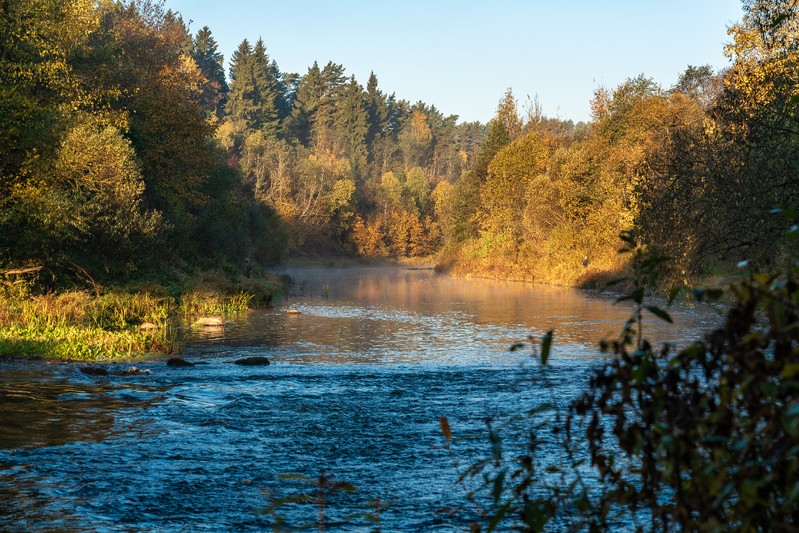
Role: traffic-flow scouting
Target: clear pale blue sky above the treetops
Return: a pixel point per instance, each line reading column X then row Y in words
column 461, row 55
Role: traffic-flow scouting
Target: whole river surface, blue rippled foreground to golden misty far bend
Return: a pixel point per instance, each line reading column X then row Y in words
column 356, row 388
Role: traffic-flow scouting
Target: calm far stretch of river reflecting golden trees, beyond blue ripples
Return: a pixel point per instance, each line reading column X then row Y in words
column 395, row 315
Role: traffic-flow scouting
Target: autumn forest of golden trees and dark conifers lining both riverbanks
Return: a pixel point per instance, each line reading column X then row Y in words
column 126, row 145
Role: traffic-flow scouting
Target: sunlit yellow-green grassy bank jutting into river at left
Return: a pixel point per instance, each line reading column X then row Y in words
column 109, row 323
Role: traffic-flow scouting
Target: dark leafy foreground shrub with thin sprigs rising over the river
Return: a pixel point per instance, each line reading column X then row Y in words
column 702, row 440
